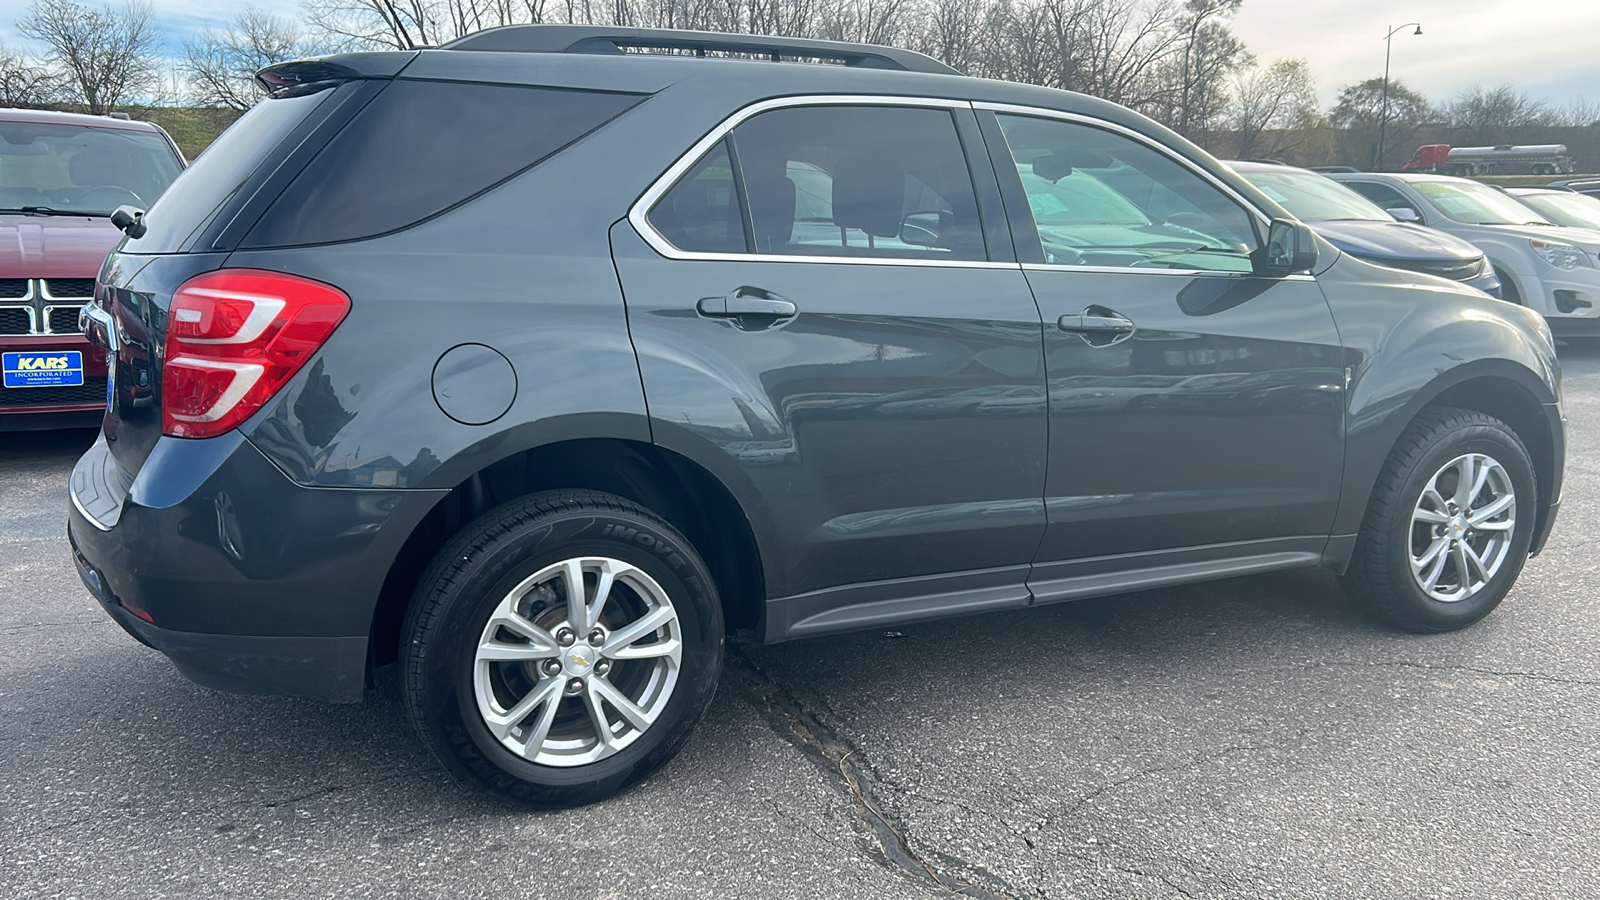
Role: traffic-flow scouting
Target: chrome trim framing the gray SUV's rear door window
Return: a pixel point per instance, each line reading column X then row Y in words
column 639, row 214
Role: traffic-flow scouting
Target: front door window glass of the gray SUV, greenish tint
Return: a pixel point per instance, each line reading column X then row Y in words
column 1102, row 199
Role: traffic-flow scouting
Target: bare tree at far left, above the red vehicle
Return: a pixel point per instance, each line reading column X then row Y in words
column 108, row 57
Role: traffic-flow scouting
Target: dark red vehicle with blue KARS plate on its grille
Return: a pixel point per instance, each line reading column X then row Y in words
column 62, row 177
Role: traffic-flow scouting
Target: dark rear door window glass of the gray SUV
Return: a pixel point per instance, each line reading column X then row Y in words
column 834, row 182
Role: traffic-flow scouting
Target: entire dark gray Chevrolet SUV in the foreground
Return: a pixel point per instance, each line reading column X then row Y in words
column 543, row 361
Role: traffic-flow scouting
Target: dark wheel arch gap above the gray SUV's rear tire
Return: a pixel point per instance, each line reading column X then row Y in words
column 684, row 491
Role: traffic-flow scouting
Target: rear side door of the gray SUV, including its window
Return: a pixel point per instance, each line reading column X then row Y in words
column 828, row 315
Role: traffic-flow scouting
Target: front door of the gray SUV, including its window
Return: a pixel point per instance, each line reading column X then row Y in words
column 1196, row 409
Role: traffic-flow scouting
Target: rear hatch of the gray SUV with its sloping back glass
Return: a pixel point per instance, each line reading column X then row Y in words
column 199, row 222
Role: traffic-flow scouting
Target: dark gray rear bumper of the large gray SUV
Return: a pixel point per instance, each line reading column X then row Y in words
column 246, row 581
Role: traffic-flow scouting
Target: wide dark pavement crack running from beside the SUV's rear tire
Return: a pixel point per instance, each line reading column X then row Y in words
column 860, row 781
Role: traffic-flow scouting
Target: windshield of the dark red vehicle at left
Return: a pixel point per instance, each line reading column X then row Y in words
column 86, row 171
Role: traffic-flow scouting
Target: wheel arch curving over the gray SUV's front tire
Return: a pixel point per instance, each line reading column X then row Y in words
column 1502, row 388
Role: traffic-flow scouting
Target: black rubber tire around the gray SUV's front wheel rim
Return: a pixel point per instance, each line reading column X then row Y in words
column 1380, row 577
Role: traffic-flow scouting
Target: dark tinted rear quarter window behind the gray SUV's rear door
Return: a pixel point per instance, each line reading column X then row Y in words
column 422, row 148
